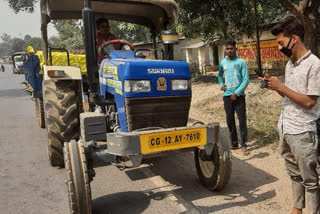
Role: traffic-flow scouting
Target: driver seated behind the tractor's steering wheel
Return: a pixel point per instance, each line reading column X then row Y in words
column 104, row 35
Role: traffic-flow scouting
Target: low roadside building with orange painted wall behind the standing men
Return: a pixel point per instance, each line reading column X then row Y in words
column 208, row 55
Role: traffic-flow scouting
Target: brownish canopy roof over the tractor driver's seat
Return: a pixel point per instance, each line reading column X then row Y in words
column 155, row 14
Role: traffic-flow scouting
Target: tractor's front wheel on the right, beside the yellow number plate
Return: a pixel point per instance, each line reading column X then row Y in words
column 214, row 171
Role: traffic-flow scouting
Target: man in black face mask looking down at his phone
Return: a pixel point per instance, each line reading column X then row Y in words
column 300, row 110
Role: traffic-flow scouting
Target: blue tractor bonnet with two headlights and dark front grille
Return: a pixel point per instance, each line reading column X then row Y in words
column 146, row 93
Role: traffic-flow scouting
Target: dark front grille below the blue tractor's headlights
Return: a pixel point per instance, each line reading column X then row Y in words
column 165, row 112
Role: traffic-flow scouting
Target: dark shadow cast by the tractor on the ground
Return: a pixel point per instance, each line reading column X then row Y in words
column 179, row 171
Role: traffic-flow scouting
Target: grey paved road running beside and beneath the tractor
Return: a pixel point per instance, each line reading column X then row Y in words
column 28, row 184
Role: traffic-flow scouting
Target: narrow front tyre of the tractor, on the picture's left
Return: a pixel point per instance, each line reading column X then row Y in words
column 78, row 183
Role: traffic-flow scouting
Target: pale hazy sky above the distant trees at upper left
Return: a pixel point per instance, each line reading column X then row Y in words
column 21, row 24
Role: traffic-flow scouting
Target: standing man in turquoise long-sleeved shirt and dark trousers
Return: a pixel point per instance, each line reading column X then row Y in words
column 233, row 71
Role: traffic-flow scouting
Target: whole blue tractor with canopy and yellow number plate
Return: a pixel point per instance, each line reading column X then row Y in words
column 138, row 107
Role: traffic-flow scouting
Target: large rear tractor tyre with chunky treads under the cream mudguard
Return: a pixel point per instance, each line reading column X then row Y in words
column 62, row 116
